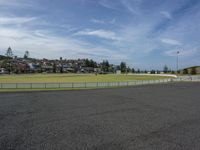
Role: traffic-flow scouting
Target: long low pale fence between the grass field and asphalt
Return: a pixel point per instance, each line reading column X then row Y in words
column 78, row 85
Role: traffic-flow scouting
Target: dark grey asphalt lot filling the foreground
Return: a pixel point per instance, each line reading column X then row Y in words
column 153, row 117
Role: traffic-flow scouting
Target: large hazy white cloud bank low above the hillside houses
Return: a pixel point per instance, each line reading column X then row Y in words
column 42, row 44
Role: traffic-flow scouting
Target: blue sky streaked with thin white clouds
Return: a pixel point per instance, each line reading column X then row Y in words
column 146, row 34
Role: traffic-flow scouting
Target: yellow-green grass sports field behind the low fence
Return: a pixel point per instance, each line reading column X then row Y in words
column 59, row 78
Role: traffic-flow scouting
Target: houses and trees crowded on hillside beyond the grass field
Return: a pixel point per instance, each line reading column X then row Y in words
column 31, row 65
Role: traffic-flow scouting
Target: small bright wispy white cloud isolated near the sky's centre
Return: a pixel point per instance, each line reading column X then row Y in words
column 99, row 33
